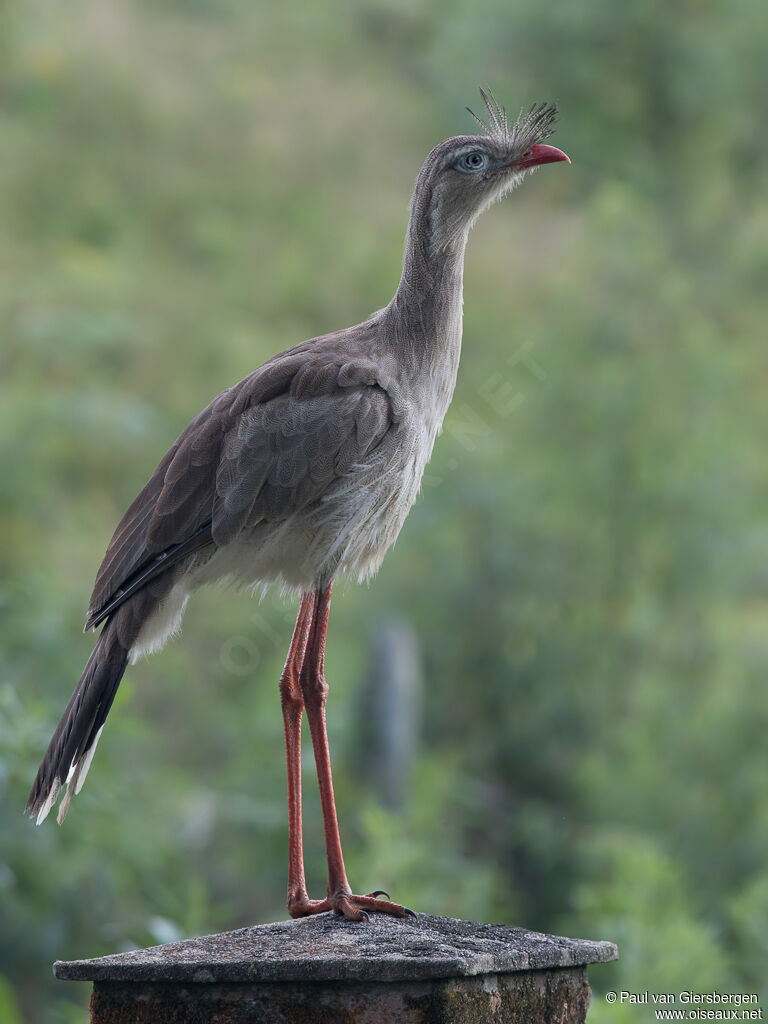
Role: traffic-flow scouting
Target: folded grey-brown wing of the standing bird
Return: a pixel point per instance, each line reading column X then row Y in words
column 263, row 450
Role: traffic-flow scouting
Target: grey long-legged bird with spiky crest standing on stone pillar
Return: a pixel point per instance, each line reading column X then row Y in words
column 301, row 474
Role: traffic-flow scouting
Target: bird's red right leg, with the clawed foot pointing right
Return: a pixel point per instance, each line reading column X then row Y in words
column 315, row 693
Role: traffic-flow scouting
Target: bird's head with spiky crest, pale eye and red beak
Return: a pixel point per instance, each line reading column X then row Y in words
column 462, row 177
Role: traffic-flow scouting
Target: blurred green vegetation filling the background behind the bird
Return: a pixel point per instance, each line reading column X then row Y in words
column 188, row 189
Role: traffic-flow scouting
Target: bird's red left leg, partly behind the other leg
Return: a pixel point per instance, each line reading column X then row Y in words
column 293, row 707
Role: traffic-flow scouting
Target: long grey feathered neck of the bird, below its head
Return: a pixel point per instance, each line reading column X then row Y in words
column 426, row 311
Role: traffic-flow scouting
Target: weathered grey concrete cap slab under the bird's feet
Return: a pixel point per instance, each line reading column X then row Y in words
column 327, row 948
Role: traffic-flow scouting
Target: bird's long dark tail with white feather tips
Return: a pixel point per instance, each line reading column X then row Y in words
column 72, row 748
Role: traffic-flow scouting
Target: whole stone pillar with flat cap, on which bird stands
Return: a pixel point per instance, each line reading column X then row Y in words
column 327, row 970
